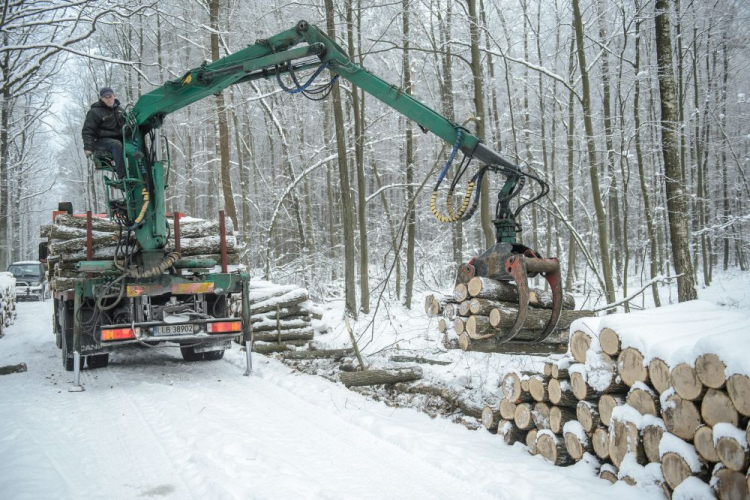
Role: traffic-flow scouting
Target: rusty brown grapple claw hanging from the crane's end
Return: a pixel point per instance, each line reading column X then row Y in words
column 514, row 262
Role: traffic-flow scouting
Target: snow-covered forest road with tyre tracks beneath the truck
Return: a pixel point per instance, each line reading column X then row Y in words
column 151, row 425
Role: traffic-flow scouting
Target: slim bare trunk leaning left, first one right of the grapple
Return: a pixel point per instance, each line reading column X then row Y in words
column 601, row 217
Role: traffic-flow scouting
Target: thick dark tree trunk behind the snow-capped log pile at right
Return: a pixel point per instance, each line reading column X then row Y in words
column 676, row 196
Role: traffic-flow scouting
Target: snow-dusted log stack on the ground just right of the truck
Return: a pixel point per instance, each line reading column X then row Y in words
column 281, row 316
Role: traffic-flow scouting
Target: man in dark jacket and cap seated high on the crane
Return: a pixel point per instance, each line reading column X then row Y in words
column 102, row 129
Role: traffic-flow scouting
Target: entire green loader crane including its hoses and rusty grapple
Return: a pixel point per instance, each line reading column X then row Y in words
column 271, row 58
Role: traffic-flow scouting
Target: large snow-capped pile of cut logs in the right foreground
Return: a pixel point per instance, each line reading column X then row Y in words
column 660, row 397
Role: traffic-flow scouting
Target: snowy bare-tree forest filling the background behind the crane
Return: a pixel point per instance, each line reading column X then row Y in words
column 509, row 70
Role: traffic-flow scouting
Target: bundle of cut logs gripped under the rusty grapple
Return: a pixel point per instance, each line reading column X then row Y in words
column 480, row 312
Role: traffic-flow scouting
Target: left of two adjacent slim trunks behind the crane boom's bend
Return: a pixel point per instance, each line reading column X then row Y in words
column 347, row 208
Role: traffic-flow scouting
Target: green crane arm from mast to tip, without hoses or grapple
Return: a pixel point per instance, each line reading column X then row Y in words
column 265, row 59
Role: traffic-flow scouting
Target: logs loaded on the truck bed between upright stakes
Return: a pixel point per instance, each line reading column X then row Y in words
column 66, row 237
